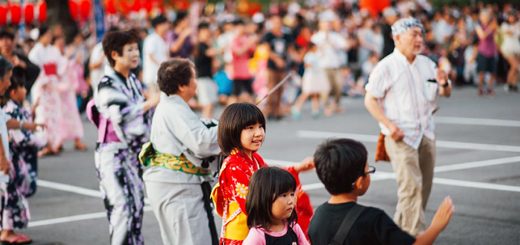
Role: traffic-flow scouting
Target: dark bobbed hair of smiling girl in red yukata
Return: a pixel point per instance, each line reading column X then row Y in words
column 233, row 120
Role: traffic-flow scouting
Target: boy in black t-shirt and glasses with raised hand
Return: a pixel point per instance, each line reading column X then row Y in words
column 341, row 165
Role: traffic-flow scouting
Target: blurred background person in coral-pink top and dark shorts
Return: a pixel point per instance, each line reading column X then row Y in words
column 242, row 48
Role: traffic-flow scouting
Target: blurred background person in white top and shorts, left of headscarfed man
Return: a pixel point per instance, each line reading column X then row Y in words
column 332, row 45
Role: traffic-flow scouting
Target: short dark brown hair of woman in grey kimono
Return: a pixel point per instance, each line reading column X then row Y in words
column 174, row 73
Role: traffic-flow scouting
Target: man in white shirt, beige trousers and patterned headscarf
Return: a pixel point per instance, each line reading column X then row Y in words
column 402, row 94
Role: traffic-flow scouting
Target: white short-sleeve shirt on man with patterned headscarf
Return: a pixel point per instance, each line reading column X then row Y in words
column 407, row 93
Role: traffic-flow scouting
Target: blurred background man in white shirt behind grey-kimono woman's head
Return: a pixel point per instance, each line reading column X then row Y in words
column 155, row 51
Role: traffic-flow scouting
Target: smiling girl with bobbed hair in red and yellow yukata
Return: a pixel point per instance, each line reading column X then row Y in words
column 241, row 132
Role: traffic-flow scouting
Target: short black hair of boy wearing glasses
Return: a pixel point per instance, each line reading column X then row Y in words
column 339, row 163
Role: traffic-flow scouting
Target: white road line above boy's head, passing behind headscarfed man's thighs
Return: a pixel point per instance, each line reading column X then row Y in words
column 440, row 143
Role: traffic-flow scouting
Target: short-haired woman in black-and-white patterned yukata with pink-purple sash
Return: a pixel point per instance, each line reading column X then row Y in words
column 123, row 122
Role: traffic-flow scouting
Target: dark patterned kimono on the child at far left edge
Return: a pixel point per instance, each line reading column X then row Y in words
column 23, row 145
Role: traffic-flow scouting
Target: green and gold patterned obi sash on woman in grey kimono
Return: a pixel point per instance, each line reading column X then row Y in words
column 149, row 157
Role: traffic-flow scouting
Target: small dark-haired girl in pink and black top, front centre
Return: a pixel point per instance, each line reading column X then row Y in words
column 271, row 209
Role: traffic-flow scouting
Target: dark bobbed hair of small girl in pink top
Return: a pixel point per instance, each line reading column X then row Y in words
column 265, row 186
